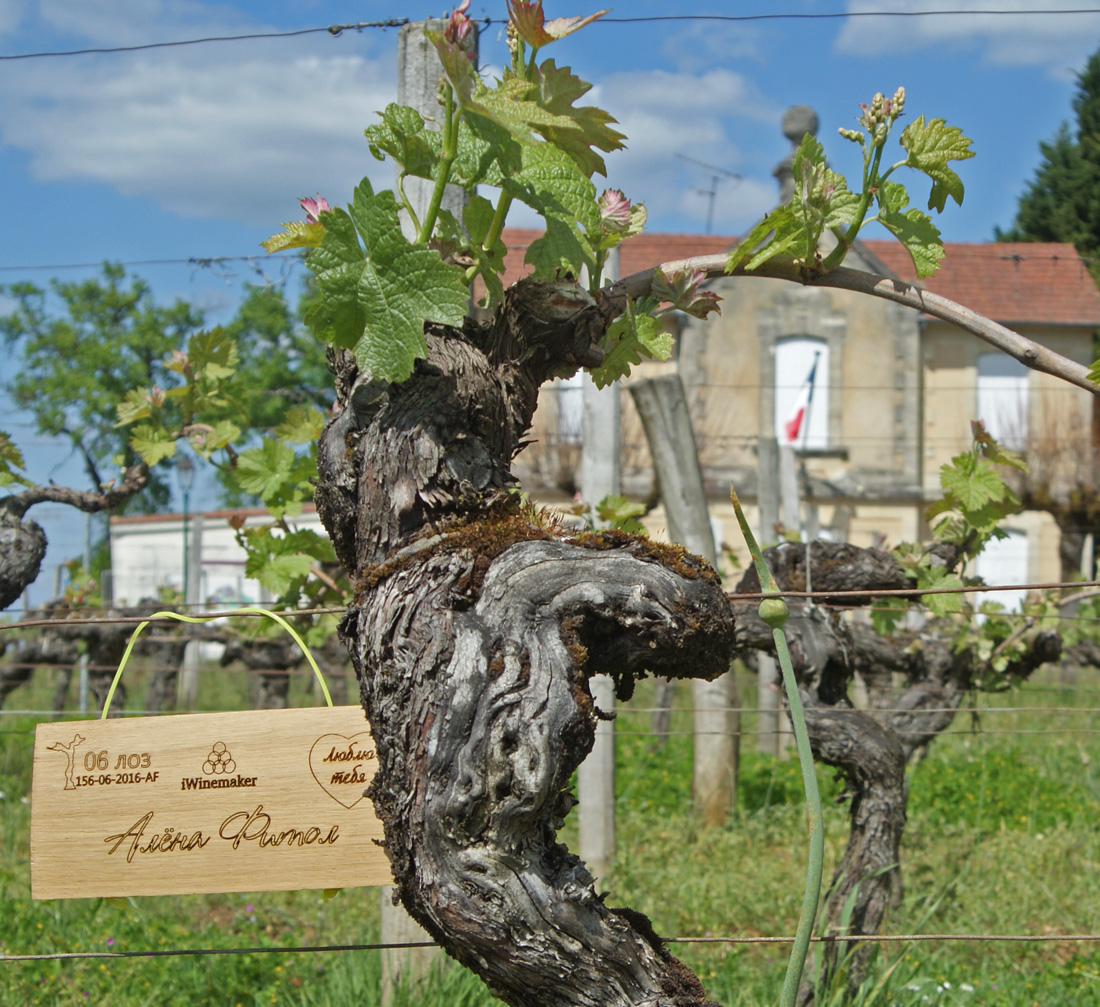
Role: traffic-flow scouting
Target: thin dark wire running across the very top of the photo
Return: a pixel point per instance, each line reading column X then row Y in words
column 337, row 30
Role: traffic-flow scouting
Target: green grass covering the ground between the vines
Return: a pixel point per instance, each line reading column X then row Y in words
column 1003, row 838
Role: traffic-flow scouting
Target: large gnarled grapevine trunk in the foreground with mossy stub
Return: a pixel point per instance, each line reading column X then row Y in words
column 476, row 626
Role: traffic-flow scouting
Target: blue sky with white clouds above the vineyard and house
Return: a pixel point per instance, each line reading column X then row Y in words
column 202, row 151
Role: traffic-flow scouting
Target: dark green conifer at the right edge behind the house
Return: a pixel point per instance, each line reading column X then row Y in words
column 1063, row 202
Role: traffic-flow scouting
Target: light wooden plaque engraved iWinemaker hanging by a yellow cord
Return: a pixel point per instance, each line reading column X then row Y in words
column 250, row 802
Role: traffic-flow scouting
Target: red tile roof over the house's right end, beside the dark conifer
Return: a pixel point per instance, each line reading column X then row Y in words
column 1015, row 283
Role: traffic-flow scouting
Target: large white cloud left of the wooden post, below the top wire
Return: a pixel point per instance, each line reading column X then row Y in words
column 203, row 135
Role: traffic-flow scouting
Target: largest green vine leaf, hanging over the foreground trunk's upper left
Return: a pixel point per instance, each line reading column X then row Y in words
column 377, row 297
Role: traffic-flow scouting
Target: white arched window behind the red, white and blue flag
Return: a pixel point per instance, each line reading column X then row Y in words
column 802, row 392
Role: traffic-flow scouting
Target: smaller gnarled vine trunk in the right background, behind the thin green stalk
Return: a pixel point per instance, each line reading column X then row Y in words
column 871, row 749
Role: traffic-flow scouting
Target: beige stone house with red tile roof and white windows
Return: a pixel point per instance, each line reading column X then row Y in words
column 894, row 397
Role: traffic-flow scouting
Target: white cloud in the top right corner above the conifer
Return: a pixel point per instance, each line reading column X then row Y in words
column 1058, row 42
